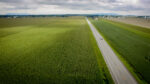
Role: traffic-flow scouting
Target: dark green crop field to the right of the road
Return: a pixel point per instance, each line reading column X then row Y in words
column 131, row 42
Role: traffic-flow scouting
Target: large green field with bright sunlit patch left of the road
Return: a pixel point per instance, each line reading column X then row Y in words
column 50, row 51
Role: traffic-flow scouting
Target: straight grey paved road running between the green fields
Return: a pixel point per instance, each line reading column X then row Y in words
column 118, row 71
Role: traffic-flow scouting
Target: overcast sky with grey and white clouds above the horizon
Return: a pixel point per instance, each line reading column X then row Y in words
column 125, row 7
